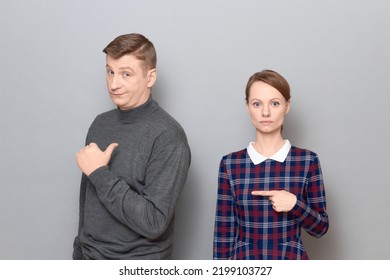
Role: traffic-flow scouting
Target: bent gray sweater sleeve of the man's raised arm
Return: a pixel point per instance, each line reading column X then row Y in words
column 150, row 212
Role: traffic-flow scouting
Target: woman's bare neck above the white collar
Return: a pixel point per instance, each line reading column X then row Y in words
column 268, row 144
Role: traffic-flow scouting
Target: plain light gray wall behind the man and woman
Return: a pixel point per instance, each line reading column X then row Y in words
column 334, row 53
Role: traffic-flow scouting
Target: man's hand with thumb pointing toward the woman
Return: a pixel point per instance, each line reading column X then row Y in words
column 91, row 157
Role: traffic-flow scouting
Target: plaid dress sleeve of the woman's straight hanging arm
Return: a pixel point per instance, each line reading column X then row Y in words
column 225, row 218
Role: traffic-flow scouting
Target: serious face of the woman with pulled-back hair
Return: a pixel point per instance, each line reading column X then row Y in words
column 267, row 108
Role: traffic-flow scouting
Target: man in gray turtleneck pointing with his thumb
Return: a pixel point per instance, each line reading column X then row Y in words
column 134, row 165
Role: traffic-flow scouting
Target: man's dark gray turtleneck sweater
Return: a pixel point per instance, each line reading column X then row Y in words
column 127, row 208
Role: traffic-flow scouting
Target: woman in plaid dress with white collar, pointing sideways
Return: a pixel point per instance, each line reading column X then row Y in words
column 270, row 190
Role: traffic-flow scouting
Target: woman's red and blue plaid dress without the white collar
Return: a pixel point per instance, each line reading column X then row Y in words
column 246, row 226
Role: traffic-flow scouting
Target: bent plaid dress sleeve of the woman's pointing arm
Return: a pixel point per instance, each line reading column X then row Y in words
column 311, row 207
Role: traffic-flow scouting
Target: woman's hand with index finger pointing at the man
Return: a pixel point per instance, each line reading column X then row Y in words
column 282, row 201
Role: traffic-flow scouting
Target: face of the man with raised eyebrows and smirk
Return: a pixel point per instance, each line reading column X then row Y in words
column 128, row 82
